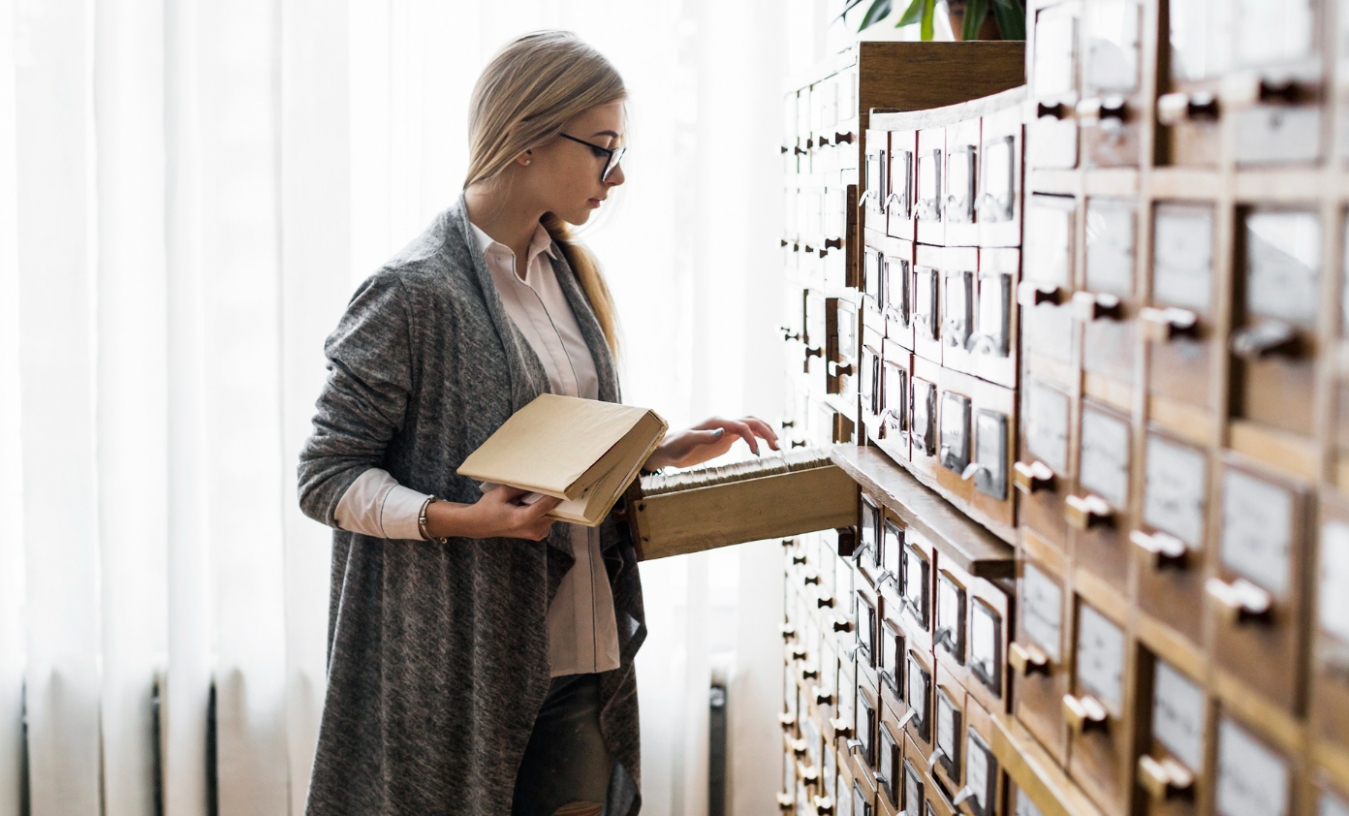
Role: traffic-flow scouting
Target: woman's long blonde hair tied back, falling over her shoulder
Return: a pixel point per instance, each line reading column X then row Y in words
column 525, row 96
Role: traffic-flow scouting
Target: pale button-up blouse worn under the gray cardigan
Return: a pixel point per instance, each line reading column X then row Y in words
column 582, row 629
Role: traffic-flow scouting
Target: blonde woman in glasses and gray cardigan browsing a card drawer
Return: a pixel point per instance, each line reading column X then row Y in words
column 481, row 659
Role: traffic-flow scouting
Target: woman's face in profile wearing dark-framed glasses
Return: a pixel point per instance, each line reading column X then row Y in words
column 565, row 175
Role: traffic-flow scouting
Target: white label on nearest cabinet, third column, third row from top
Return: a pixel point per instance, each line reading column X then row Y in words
column 1176, row 489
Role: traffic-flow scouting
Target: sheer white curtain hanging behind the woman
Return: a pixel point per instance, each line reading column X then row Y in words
column 190, row 192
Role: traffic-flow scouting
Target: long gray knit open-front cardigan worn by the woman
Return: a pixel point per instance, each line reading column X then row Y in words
column 438, row 656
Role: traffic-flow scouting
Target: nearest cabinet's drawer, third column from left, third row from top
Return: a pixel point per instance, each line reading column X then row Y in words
column 1172, row 544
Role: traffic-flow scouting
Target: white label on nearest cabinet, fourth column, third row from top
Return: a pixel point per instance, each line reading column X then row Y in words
column 1258, row 531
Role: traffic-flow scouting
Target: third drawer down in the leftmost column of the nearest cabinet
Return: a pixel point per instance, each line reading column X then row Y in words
column 1043, row 475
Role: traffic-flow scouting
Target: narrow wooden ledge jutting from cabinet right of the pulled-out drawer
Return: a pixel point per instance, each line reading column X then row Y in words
column 956, row 536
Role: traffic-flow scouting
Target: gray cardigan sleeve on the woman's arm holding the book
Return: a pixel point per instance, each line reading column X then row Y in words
column 365, row 400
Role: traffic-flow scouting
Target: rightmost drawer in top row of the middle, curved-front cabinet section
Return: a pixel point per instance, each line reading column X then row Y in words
column 1000, row 180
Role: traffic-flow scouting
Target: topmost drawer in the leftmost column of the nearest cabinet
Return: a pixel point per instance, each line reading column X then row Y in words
column 1052, row 137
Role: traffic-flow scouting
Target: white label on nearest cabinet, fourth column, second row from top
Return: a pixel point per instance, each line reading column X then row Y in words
column 1284, row 265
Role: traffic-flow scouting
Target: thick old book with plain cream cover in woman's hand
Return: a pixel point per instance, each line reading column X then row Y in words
column 582, row 451
